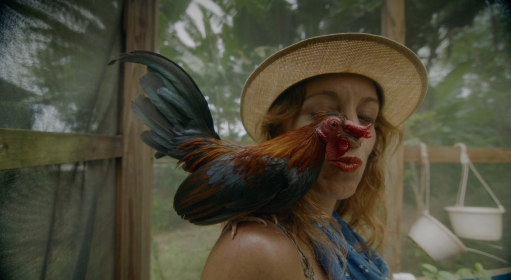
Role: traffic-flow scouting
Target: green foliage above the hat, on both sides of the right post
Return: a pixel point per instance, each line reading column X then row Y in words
column 462, row 42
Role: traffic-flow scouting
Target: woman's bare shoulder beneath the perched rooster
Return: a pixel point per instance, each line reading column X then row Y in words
column 257, row 251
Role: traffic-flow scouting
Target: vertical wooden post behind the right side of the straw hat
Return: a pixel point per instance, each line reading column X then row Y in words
column 393, row 27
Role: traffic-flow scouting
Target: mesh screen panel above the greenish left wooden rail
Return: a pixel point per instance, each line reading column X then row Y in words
column 54, row 75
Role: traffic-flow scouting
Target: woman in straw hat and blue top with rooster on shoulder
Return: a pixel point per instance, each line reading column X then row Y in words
column 370, row 80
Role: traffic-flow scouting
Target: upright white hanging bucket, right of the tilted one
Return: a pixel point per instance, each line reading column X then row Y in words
column 478, row 223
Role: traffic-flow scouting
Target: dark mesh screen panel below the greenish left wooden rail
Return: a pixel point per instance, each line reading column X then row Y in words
column 58, row 222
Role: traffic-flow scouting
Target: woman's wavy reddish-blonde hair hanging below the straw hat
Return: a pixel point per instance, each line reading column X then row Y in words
column 365, row 210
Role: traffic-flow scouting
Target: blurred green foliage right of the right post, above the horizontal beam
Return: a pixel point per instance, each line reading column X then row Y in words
column 467, row 100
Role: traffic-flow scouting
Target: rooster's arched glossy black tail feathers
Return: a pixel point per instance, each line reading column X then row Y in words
column 176, row 111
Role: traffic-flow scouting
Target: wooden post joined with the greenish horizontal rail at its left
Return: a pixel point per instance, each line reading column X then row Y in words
column 26, row 148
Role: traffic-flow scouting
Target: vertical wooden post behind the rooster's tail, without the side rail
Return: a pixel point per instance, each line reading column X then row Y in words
column 135, row 168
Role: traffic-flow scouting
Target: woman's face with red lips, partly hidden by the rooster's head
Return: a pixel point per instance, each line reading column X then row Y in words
column 355, row 97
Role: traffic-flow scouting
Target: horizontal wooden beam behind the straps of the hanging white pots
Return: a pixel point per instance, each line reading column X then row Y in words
column 452, row 154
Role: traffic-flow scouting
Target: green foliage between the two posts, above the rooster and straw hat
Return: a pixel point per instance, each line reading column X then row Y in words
column 228, row 39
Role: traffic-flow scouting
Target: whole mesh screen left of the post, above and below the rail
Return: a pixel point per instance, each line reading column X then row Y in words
column 58, row 222
